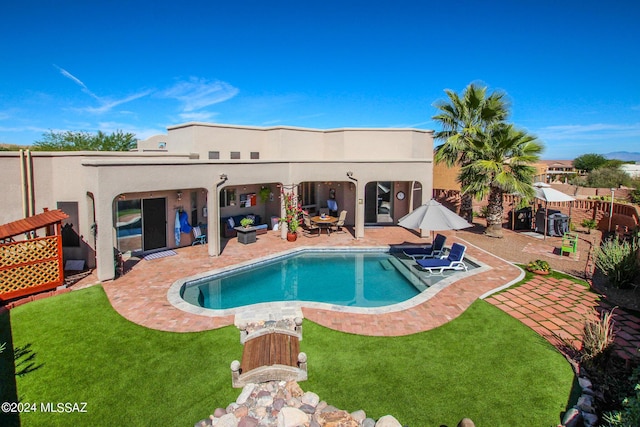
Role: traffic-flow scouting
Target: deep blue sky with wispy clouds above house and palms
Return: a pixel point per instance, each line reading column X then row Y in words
column 570, row 68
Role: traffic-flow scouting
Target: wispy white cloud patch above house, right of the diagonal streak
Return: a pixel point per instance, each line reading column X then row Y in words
column 200, row 93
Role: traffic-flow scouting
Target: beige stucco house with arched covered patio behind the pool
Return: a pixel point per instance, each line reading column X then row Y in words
column 209, row 172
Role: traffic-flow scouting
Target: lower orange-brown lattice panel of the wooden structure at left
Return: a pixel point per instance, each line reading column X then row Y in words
column 28, row 276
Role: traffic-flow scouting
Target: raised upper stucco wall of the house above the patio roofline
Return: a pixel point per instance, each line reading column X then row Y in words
column 285, row 143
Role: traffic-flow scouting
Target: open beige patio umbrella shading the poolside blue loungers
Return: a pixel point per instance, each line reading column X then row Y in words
column 433, row 216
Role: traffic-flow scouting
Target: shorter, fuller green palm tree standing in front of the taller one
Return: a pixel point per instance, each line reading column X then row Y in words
column 501, row 163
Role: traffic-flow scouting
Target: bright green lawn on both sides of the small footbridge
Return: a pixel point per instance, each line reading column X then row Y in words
column 483, row 365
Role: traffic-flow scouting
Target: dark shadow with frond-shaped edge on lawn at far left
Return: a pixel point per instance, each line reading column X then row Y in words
column 13, row 362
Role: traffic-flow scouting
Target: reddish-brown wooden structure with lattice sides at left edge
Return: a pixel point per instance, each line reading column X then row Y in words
column 34, row 264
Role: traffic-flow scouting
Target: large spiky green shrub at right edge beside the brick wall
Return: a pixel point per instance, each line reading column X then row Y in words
column 618, row 261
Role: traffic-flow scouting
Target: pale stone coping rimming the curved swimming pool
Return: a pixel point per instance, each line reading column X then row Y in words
column 292, row 309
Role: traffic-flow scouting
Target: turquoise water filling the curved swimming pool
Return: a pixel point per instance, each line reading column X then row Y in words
column 345, row 278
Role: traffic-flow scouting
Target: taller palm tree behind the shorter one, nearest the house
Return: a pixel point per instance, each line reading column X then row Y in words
column 462, row 119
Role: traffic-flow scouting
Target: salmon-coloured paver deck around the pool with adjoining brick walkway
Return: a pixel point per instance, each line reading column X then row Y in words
column 556, row 309
